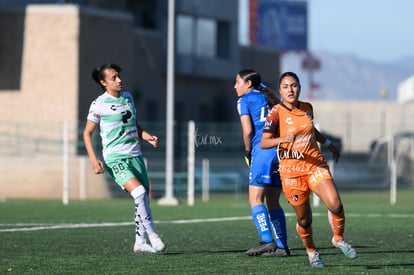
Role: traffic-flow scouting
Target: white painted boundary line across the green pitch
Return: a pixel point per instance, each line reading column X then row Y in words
column 48, row 226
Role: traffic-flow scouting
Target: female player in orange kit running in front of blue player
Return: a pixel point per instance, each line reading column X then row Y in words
column 289, row 127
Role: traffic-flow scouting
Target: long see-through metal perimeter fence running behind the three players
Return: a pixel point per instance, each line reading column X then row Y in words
column 218, row 148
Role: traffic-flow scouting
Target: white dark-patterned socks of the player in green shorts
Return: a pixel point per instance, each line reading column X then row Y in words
column 143, row 218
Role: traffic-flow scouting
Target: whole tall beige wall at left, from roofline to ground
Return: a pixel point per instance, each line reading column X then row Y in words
column 45, row 97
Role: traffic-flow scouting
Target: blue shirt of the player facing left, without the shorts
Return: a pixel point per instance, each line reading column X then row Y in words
column 254, row 104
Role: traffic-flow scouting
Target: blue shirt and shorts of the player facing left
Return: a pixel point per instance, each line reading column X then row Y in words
column 264, row 162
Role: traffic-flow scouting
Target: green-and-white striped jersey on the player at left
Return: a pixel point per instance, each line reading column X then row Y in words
column 117, row 125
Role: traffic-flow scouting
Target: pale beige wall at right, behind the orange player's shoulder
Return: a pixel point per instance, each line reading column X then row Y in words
column 358, row 123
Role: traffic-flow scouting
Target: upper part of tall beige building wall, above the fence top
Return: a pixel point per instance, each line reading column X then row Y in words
column 48, row 83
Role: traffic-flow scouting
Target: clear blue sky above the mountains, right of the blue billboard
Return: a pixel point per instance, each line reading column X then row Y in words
column 377, row 30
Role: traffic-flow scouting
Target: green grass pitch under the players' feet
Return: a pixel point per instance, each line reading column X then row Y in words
column 382, row 234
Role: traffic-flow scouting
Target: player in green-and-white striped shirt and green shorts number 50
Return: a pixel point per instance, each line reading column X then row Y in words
column 115, row 114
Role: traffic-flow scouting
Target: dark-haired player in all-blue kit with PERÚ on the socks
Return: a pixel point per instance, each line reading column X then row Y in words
column 253, row 104
